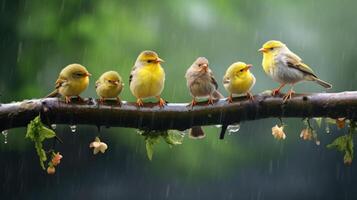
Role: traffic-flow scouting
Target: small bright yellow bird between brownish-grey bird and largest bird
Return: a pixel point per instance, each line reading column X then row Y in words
column 239, row 80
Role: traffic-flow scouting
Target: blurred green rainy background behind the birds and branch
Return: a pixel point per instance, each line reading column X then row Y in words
column 39, row 37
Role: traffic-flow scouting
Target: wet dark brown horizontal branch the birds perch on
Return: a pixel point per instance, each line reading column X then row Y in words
column 177, row 116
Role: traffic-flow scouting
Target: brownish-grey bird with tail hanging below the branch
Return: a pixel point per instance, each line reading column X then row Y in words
column 201, row 84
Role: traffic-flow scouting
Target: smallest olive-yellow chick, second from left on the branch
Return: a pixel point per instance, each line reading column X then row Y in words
column 109, row 85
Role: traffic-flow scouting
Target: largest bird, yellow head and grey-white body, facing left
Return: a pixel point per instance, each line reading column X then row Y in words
column 285, row 67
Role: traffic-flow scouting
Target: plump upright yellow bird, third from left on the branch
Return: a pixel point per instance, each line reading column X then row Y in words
column 147, row 77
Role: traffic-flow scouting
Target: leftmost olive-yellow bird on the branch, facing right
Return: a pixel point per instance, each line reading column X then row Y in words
column 72, row 81
